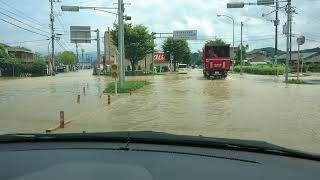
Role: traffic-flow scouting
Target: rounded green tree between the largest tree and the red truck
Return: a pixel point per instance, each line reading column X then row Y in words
column 179, row 49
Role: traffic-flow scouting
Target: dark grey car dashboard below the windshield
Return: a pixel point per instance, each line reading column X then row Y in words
column 138, row 161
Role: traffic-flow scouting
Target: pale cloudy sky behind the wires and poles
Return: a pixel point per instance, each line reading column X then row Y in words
column 159, row 16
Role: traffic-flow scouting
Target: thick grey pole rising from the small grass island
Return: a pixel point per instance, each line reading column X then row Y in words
column 121, row 42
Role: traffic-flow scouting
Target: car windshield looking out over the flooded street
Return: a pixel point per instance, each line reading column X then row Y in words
column 75, row 66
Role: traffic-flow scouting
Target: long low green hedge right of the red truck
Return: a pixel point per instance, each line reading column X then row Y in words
column 261, row 69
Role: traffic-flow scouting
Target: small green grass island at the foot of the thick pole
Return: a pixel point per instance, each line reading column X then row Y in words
column 127, row 86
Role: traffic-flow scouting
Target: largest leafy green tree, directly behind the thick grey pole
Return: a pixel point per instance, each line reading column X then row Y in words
column 138, row 42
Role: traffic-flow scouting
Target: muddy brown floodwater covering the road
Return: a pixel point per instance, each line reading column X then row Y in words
column 244, row 107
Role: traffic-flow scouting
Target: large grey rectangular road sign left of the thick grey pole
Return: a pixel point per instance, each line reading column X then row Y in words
column 80, row 34
